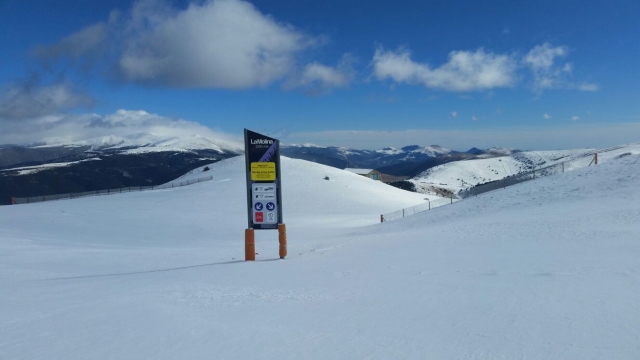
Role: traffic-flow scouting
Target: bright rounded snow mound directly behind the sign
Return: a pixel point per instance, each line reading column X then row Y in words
column 346, row 199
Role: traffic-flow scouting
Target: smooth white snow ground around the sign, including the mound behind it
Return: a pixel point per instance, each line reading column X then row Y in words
column 547, row 269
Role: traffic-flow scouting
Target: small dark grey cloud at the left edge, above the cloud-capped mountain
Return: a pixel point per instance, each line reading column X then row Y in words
column 32, row 99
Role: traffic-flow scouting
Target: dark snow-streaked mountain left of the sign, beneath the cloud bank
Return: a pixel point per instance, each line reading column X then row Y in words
column 27, row 171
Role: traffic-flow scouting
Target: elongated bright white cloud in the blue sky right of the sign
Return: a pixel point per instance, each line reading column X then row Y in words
column 465, row 70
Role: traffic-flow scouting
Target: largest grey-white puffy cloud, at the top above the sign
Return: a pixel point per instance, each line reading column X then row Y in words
column 219, row 44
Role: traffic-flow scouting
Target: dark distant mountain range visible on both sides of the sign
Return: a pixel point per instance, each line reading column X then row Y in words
column 146, row 160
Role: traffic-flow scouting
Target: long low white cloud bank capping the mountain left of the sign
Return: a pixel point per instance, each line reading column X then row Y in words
column 123, row 126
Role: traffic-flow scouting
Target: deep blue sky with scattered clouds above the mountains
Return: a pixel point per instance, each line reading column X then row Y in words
column 529, row 75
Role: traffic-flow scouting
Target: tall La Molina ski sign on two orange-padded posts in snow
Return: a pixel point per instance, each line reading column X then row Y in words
column 264, row 190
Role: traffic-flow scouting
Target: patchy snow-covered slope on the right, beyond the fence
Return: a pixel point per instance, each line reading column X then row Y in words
column 459, row 175
